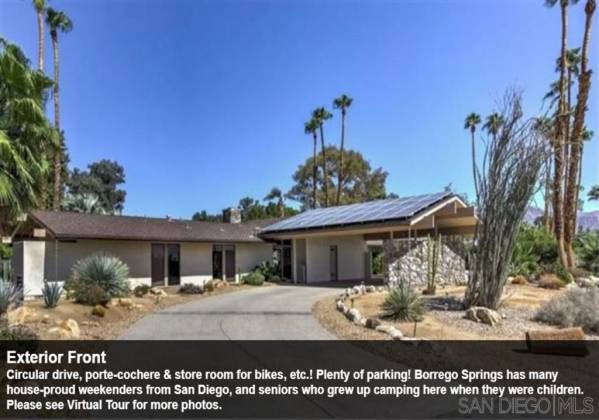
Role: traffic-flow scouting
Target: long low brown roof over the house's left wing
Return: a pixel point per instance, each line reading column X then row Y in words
column 66, row 225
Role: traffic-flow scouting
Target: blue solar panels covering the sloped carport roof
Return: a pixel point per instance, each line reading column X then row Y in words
column 373, row 211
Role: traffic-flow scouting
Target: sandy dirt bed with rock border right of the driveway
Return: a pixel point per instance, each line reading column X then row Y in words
column 519, row 306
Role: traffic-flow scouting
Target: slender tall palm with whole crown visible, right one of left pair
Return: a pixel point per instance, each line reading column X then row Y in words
column 57, row 21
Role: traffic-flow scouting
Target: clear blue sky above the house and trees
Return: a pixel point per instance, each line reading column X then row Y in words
column 203, row 102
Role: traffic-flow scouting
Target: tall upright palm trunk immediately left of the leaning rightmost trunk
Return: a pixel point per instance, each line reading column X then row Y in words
column 558, row 218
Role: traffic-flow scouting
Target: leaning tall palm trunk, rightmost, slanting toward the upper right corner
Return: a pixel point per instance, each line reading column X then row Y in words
column 584, row 85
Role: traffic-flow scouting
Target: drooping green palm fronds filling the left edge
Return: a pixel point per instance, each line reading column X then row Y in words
column 24, row 131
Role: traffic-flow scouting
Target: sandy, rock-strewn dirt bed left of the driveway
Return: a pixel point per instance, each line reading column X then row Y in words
column 117, row 318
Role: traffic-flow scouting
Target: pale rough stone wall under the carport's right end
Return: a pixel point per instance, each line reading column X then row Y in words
column 407, row 260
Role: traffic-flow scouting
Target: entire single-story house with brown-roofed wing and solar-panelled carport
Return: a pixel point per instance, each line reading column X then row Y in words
column 327, row 244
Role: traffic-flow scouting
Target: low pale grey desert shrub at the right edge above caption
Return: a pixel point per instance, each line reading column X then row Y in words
column 575, row 308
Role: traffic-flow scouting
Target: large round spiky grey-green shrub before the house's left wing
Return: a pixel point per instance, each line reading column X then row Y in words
column 98, row 272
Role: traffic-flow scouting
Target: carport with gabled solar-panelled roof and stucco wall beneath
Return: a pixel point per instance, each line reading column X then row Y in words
column 332, row 244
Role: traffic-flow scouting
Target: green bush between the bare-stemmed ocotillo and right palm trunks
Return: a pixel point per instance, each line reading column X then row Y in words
column 535, row 248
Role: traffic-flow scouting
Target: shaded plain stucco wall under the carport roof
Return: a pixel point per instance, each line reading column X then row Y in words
column 350, row 256
